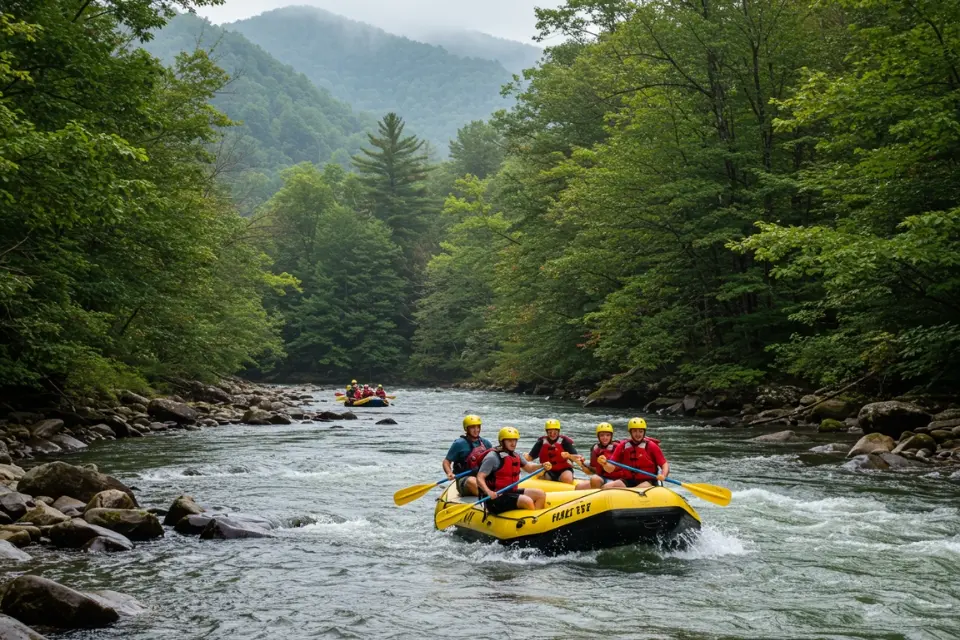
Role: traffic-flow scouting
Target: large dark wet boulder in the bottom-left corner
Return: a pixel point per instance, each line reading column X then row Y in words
column 36, row 600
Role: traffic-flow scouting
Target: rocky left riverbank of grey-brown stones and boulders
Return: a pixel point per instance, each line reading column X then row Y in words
column 78, row 509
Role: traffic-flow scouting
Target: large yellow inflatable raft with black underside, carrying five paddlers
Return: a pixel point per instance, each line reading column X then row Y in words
column 581, row 520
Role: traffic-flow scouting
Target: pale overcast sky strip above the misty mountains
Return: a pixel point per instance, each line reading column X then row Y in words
column 512, row 19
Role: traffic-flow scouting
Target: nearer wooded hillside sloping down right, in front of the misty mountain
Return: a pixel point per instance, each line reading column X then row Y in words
column 286, row 119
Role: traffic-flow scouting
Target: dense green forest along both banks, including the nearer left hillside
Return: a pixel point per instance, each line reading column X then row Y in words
column 680, row 196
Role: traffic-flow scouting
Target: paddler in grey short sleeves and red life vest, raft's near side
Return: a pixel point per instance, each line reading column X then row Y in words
column 500, row 468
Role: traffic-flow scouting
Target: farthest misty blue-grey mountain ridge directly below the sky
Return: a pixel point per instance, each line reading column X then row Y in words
column 435, row 91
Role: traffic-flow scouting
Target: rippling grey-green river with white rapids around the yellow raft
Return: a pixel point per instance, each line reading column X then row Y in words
column 805, row 550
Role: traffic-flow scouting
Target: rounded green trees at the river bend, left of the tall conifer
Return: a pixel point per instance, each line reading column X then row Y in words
column 344, row 320
